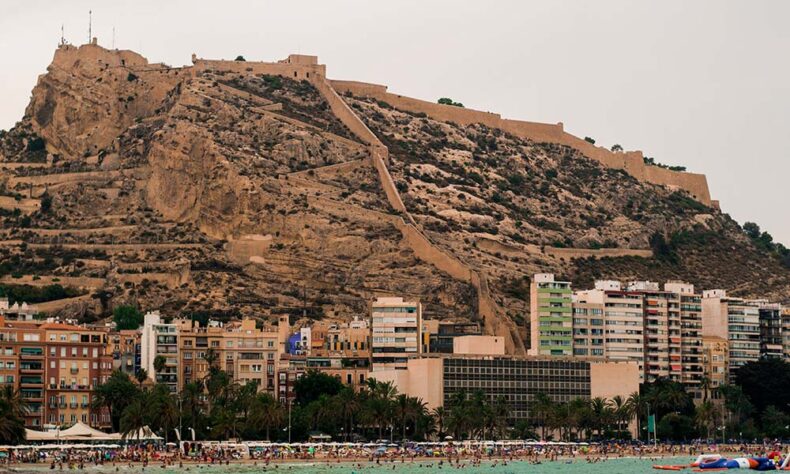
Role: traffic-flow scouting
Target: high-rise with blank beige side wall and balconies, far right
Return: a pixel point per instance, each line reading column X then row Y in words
column 735, row 320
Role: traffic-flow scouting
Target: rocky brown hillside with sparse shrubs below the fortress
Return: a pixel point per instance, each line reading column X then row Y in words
column 241, row 193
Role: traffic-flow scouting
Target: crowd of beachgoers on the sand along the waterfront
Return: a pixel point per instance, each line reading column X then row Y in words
column 464, row 454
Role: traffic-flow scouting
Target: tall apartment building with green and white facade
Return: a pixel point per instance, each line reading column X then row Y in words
column 551, row 317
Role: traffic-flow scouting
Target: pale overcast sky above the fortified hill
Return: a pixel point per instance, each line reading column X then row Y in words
column 704, row 84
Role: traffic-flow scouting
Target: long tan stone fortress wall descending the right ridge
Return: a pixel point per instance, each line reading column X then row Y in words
column 632, row 161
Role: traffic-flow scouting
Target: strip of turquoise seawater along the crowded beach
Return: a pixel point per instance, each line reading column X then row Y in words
column 577, row 466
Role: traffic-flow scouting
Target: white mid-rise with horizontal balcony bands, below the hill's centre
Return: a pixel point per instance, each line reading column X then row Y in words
column 396, row 332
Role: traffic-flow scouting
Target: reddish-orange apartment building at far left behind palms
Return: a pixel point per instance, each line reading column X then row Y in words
column 55, row 366
